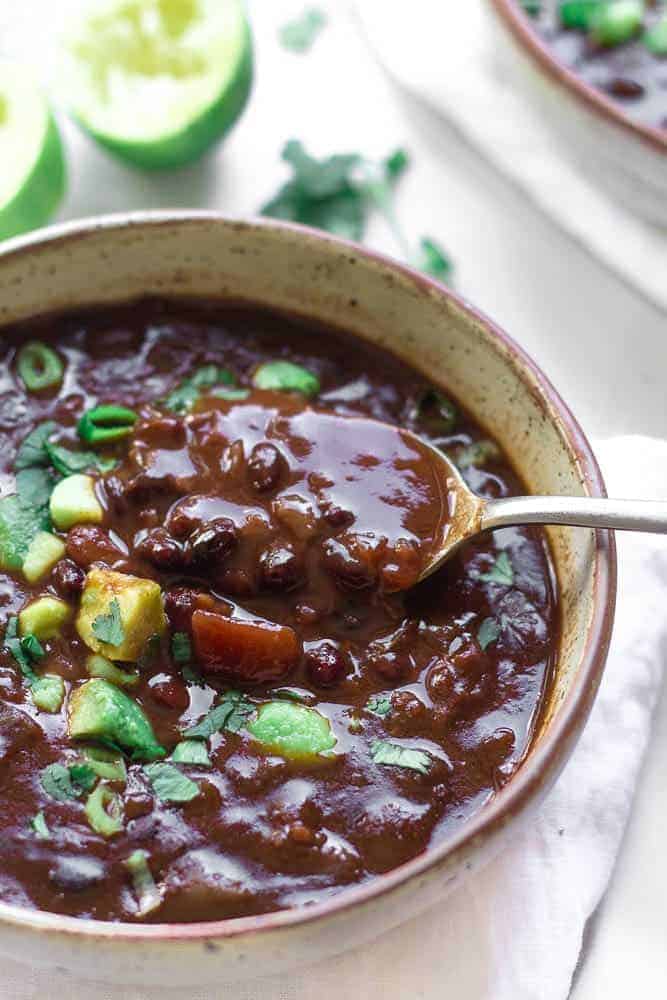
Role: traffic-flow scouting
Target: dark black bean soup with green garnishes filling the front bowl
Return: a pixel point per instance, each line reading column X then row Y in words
column 221, row 692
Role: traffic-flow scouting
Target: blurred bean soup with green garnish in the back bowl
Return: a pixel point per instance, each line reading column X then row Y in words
column 617, row 46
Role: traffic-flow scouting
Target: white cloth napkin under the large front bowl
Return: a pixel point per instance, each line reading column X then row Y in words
column 514, row 932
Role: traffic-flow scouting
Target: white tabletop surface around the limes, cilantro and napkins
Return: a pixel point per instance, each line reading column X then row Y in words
column 603, row 347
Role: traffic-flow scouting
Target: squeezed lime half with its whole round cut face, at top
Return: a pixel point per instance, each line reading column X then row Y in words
column 158, row 82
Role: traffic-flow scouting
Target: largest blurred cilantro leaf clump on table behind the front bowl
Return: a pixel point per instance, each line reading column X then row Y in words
column 336, row 193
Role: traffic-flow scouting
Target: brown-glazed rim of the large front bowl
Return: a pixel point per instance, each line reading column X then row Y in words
column 541, row 765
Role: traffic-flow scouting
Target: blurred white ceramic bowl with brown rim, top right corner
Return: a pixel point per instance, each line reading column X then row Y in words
column 620, row 155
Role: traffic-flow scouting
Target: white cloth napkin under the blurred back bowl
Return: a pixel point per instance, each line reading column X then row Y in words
column 439, row 50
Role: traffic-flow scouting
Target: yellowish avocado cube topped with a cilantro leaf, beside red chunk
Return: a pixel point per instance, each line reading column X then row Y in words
column 133, row 603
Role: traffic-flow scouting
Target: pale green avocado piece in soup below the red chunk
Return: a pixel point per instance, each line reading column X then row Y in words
column 292, row 730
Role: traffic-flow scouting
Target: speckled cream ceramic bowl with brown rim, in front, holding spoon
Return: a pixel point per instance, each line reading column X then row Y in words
column 187, row 254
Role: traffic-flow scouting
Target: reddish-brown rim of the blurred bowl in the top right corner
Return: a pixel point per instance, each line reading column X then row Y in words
column 519, row 24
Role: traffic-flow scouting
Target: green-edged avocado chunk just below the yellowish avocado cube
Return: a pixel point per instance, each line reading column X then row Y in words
column 100, row 711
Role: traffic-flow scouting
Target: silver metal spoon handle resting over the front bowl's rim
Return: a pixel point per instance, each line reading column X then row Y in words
column 587, row 512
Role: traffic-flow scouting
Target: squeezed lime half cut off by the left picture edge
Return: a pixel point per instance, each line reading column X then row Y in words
column 32, row 169
